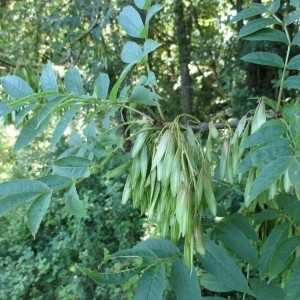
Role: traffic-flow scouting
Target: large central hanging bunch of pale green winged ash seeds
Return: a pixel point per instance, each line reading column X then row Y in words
column 170, row 180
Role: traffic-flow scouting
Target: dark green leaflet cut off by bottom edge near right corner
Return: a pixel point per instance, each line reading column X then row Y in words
column 263, row 290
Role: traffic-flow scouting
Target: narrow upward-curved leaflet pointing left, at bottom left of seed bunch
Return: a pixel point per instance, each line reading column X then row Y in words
column 112, row 278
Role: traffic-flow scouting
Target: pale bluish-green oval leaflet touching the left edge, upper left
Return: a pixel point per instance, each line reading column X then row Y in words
column 15, row 86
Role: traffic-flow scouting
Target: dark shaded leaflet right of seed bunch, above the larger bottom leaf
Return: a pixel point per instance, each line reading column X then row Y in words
column 237, row 241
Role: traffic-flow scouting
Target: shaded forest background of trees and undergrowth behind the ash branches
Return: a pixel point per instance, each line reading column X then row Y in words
column 198, row 70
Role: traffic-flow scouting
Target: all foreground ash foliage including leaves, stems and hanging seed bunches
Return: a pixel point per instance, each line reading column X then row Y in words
column 251, row 251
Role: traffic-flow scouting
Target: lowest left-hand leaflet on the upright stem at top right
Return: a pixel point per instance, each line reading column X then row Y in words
column 264, row 58
